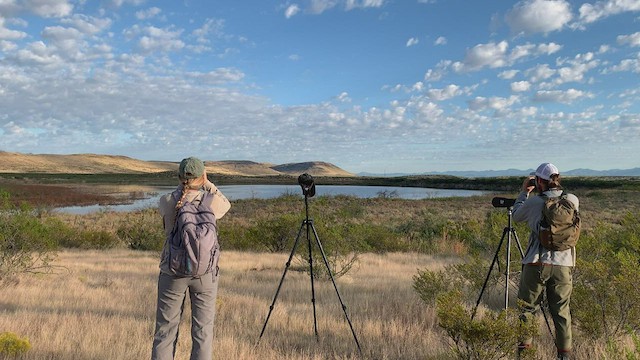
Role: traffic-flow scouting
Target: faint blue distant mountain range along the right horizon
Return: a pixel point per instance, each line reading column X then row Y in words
column 516, row 172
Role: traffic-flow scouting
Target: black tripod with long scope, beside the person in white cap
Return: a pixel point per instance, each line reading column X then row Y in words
column 509, row 232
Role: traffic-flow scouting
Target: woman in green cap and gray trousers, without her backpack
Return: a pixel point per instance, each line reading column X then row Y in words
column 172, row 289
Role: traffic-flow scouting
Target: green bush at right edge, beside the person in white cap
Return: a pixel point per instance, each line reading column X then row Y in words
column 605, row 298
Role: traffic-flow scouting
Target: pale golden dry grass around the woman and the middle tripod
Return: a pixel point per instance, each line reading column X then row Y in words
column 103, row 306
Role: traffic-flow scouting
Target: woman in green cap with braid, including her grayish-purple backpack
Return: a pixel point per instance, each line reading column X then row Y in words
column 188, row 212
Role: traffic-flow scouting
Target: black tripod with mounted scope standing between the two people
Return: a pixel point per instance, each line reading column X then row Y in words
column 308, row 189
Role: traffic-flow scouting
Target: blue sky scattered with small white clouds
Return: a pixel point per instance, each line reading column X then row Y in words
column 378, row 86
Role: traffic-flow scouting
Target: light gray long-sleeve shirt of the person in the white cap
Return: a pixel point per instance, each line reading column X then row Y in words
column 529, row 209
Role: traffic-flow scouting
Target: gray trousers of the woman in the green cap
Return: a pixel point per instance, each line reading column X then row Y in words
column 171, row 297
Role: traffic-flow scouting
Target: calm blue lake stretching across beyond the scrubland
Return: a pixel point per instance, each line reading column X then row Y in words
column 238, row 192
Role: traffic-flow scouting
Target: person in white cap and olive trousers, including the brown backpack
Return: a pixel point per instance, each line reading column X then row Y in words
column 548, row 263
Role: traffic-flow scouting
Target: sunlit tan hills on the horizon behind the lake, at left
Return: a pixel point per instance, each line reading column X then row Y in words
column 11, row 162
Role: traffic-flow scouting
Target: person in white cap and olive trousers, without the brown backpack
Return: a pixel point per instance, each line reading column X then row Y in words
column 543, row 269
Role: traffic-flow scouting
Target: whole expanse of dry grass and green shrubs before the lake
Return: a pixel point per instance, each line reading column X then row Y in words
column 411, row 271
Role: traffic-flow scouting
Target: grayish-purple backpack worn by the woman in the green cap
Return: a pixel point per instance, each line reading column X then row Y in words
column 193, row 243
